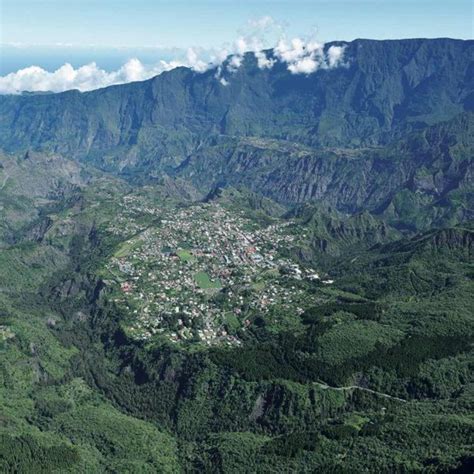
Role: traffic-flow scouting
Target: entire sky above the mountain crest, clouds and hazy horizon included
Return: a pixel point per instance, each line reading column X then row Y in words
column 158, row 34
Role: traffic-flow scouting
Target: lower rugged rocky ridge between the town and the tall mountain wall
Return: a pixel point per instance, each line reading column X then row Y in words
column 425, row 176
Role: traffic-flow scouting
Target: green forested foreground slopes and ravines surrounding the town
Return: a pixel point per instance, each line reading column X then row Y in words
column 374, row 371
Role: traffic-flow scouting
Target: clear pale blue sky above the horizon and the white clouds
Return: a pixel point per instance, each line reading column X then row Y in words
column 205, row 23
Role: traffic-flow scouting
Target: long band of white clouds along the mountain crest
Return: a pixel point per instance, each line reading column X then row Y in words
column 300, row 56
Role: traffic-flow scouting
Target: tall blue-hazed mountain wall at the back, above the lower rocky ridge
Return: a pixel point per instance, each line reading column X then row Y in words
column 384, row 89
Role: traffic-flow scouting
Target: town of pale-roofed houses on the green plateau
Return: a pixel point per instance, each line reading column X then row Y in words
column 203, row 273
